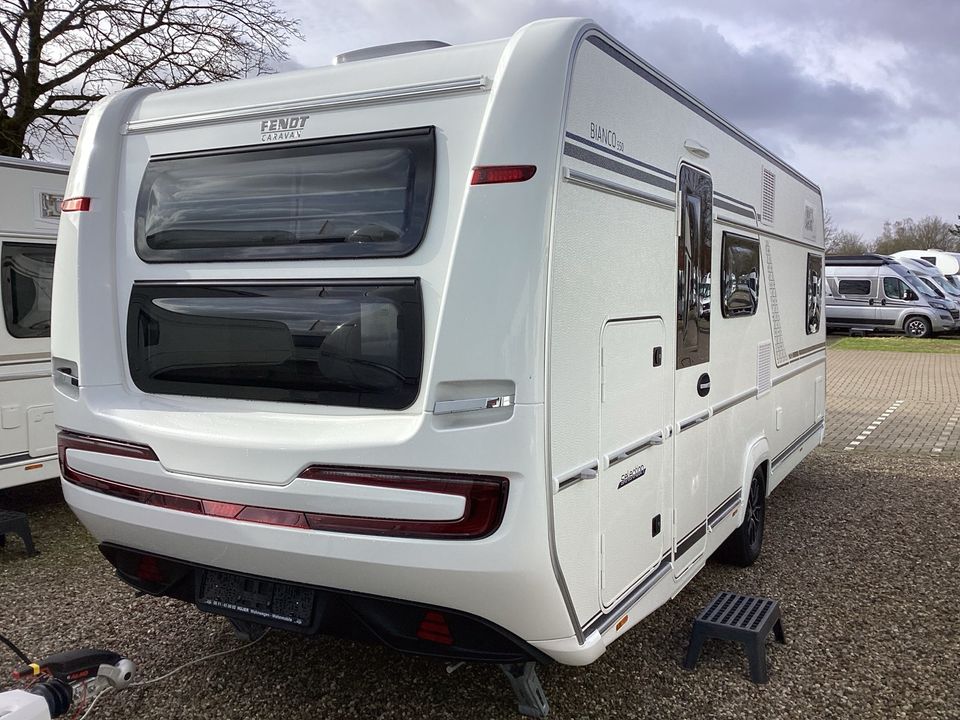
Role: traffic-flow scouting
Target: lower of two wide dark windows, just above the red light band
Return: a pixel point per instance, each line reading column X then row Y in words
column 353, row 345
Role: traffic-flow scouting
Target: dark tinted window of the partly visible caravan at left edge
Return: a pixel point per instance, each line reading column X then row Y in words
column 27, row 276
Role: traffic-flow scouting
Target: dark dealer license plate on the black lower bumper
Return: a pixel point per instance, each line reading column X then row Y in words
column 255, row 599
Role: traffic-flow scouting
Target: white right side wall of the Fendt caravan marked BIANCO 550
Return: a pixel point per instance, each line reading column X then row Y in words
column 614, row 311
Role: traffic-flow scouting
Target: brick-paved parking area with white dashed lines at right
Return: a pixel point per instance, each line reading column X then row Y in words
column 905, row 403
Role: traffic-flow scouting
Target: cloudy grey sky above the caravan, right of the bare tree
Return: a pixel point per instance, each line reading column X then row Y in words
column 862, row 96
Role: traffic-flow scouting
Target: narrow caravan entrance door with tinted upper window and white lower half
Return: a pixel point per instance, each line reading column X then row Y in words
column 692, row 401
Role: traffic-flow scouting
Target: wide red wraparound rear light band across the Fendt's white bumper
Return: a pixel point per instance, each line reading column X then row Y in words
column 484, row 497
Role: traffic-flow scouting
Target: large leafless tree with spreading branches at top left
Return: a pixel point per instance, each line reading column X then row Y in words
column 58, row 57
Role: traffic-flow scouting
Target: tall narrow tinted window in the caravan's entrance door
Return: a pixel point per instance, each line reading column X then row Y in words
column 693, row 267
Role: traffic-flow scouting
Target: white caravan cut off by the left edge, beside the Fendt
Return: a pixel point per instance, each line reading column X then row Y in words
column 30, row 195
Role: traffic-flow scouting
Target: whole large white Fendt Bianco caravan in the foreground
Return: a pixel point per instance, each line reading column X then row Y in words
column 478, row 352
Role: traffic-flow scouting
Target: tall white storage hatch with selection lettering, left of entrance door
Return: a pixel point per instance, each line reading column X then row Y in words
column 631, row 453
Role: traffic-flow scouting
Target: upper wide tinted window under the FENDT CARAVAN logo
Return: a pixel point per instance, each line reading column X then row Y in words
column 353, row 197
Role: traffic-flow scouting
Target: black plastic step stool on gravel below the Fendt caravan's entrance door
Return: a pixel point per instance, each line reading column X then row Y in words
column 743, row 618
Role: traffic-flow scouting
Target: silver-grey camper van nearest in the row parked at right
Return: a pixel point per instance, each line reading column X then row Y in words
column 878, row 293
